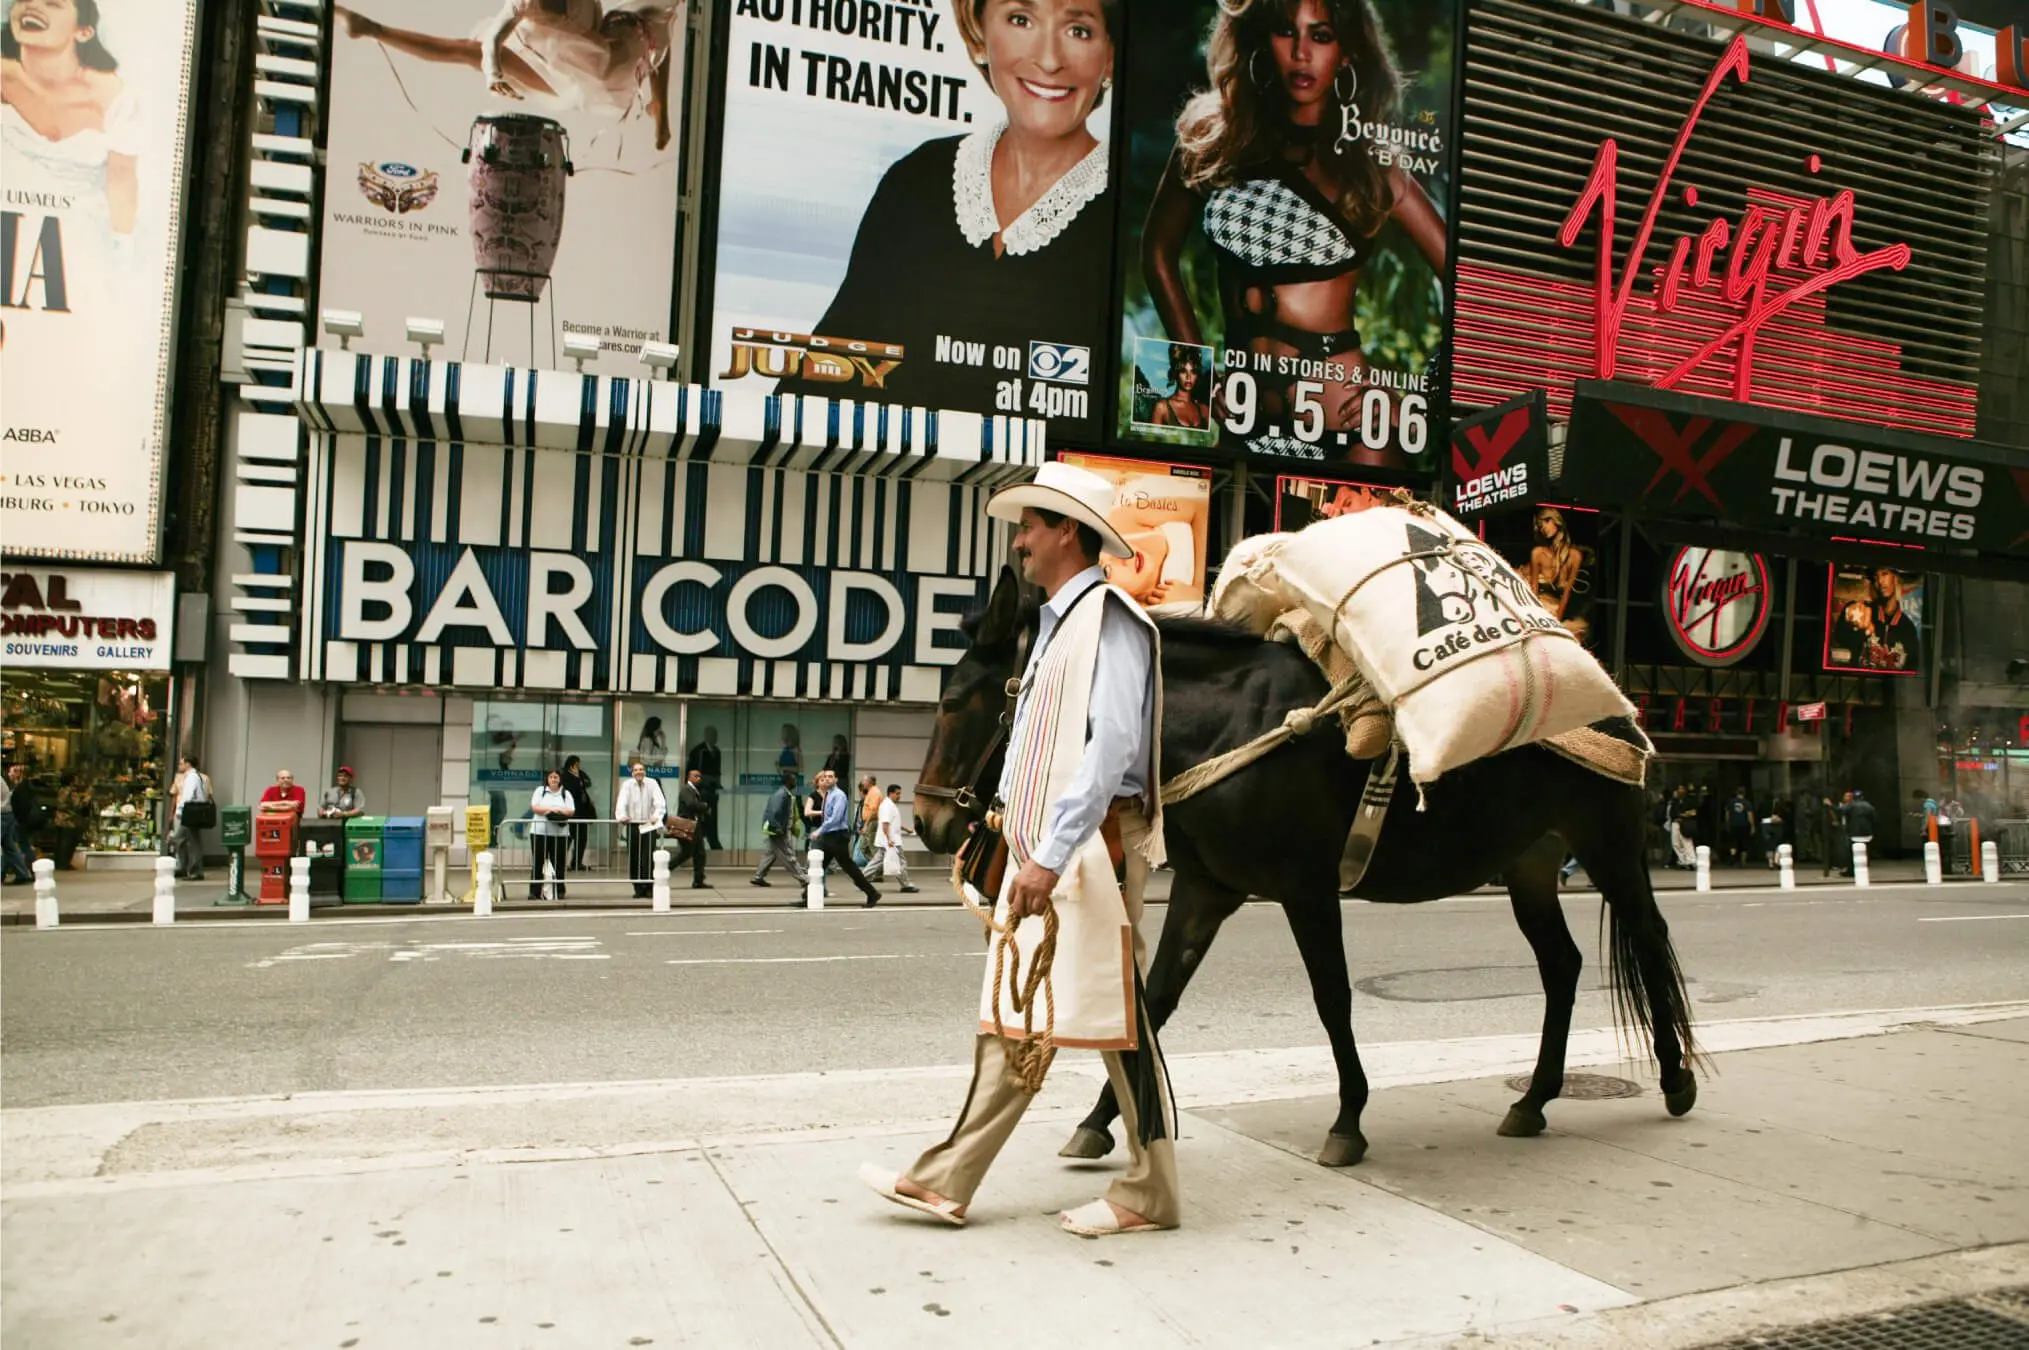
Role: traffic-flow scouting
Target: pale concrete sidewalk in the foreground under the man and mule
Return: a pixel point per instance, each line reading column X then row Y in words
column 1833, row 1164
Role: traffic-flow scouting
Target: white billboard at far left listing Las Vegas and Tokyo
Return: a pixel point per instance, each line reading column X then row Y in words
column 88, row 247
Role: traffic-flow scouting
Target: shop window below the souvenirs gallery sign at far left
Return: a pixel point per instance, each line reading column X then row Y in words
column 94, row 746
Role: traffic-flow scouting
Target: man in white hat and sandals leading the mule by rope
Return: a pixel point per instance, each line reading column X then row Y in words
column 1078, row 803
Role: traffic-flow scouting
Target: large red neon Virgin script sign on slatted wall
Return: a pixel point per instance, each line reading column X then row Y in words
column 1807, row 245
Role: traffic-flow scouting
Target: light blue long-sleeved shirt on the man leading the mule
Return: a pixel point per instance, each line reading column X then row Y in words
column 1117, row 722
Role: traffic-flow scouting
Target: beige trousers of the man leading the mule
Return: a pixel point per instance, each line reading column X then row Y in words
column 995, row 1105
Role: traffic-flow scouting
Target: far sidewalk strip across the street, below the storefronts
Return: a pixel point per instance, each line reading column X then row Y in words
column 125, row 896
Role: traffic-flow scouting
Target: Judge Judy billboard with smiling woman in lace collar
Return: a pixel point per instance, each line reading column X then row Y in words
column 914, row 208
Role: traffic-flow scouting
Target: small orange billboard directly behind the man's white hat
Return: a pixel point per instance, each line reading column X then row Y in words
column 1164, row 513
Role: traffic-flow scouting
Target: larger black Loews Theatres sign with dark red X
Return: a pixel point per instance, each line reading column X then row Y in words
column 1701, row 460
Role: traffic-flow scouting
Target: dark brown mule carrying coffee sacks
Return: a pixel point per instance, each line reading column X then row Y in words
column 1225, row 687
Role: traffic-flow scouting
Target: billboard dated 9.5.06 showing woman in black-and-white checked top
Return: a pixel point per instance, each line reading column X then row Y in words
column 1283, row 228
